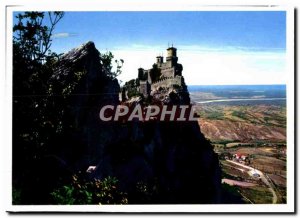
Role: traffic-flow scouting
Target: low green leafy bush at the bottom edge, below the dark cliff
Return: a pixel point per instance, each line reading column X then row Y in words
column 81, row 191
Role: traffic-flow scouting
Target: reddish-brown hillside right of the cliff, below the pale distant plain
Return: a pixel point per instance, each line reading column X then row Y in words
column 243, row 123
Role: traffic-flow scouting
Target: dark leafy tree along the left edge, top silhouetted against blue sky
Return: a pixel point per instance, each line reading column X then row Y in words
column 33, row 117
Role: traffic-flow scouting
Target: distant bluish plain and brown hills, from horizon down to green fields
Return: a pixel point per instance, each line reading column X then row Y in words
column 238, row 113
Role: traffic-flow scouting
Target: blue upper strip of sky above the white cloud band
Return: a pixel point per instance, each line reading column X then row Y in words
column 265, row 30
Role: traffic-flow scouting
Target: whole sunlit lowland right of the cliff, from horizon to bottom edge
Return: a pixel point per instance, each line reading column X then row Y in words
column 248, row 121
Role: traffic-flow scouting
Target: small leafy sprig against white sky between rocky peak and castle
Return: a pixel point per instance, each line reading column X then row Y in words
column 107, row 60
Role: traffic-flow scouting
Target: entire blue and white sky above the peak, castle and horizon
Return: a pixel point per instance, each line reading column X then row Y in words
column 214, row 47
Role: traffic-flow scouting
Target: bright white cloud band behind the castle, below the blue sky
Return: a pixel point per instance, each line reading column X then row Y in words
column 205, row 65
